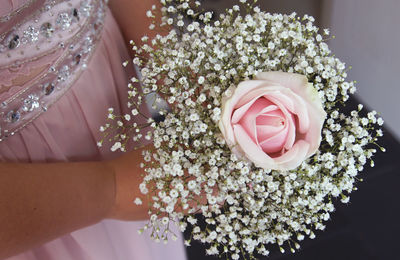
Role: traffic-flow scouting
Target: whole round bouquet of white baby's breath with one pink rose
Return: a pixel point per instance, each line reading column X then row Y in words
column 255, row 137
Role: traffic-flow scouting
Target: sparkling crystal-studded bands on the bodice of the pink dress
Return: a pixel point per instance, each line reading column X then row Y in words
column 16, row 114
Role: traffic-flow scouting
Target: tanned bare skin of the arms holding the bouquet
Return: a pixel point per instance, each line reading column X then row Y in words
column 40, row 202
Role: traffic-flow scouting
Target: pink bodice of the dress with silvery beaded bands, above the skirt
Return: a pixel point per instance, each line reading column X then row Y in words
column 44, row 45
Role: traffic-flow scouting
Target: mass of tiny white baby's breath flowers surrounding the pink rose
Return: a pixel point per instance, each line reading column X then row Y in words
column 191, row 170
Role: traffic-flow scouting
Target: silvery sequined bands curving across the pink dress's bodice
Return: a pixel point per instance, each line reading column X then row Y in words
column 23, row 107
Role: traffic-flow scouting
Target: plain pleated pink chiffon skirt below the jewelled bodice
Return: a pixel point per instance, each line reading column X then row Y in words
column 69, row 131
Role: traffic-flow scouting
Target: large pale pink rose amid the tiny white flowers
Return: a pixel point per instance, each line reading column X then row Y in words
column 275, row 121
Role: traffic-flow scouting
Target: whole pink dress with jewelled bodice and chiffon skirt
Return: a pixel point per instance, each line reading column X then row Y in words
column 73, row 51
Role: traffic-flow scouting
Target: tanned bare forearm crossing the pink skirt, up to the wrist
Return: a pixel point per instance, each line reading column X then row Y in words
column 40, row 202
